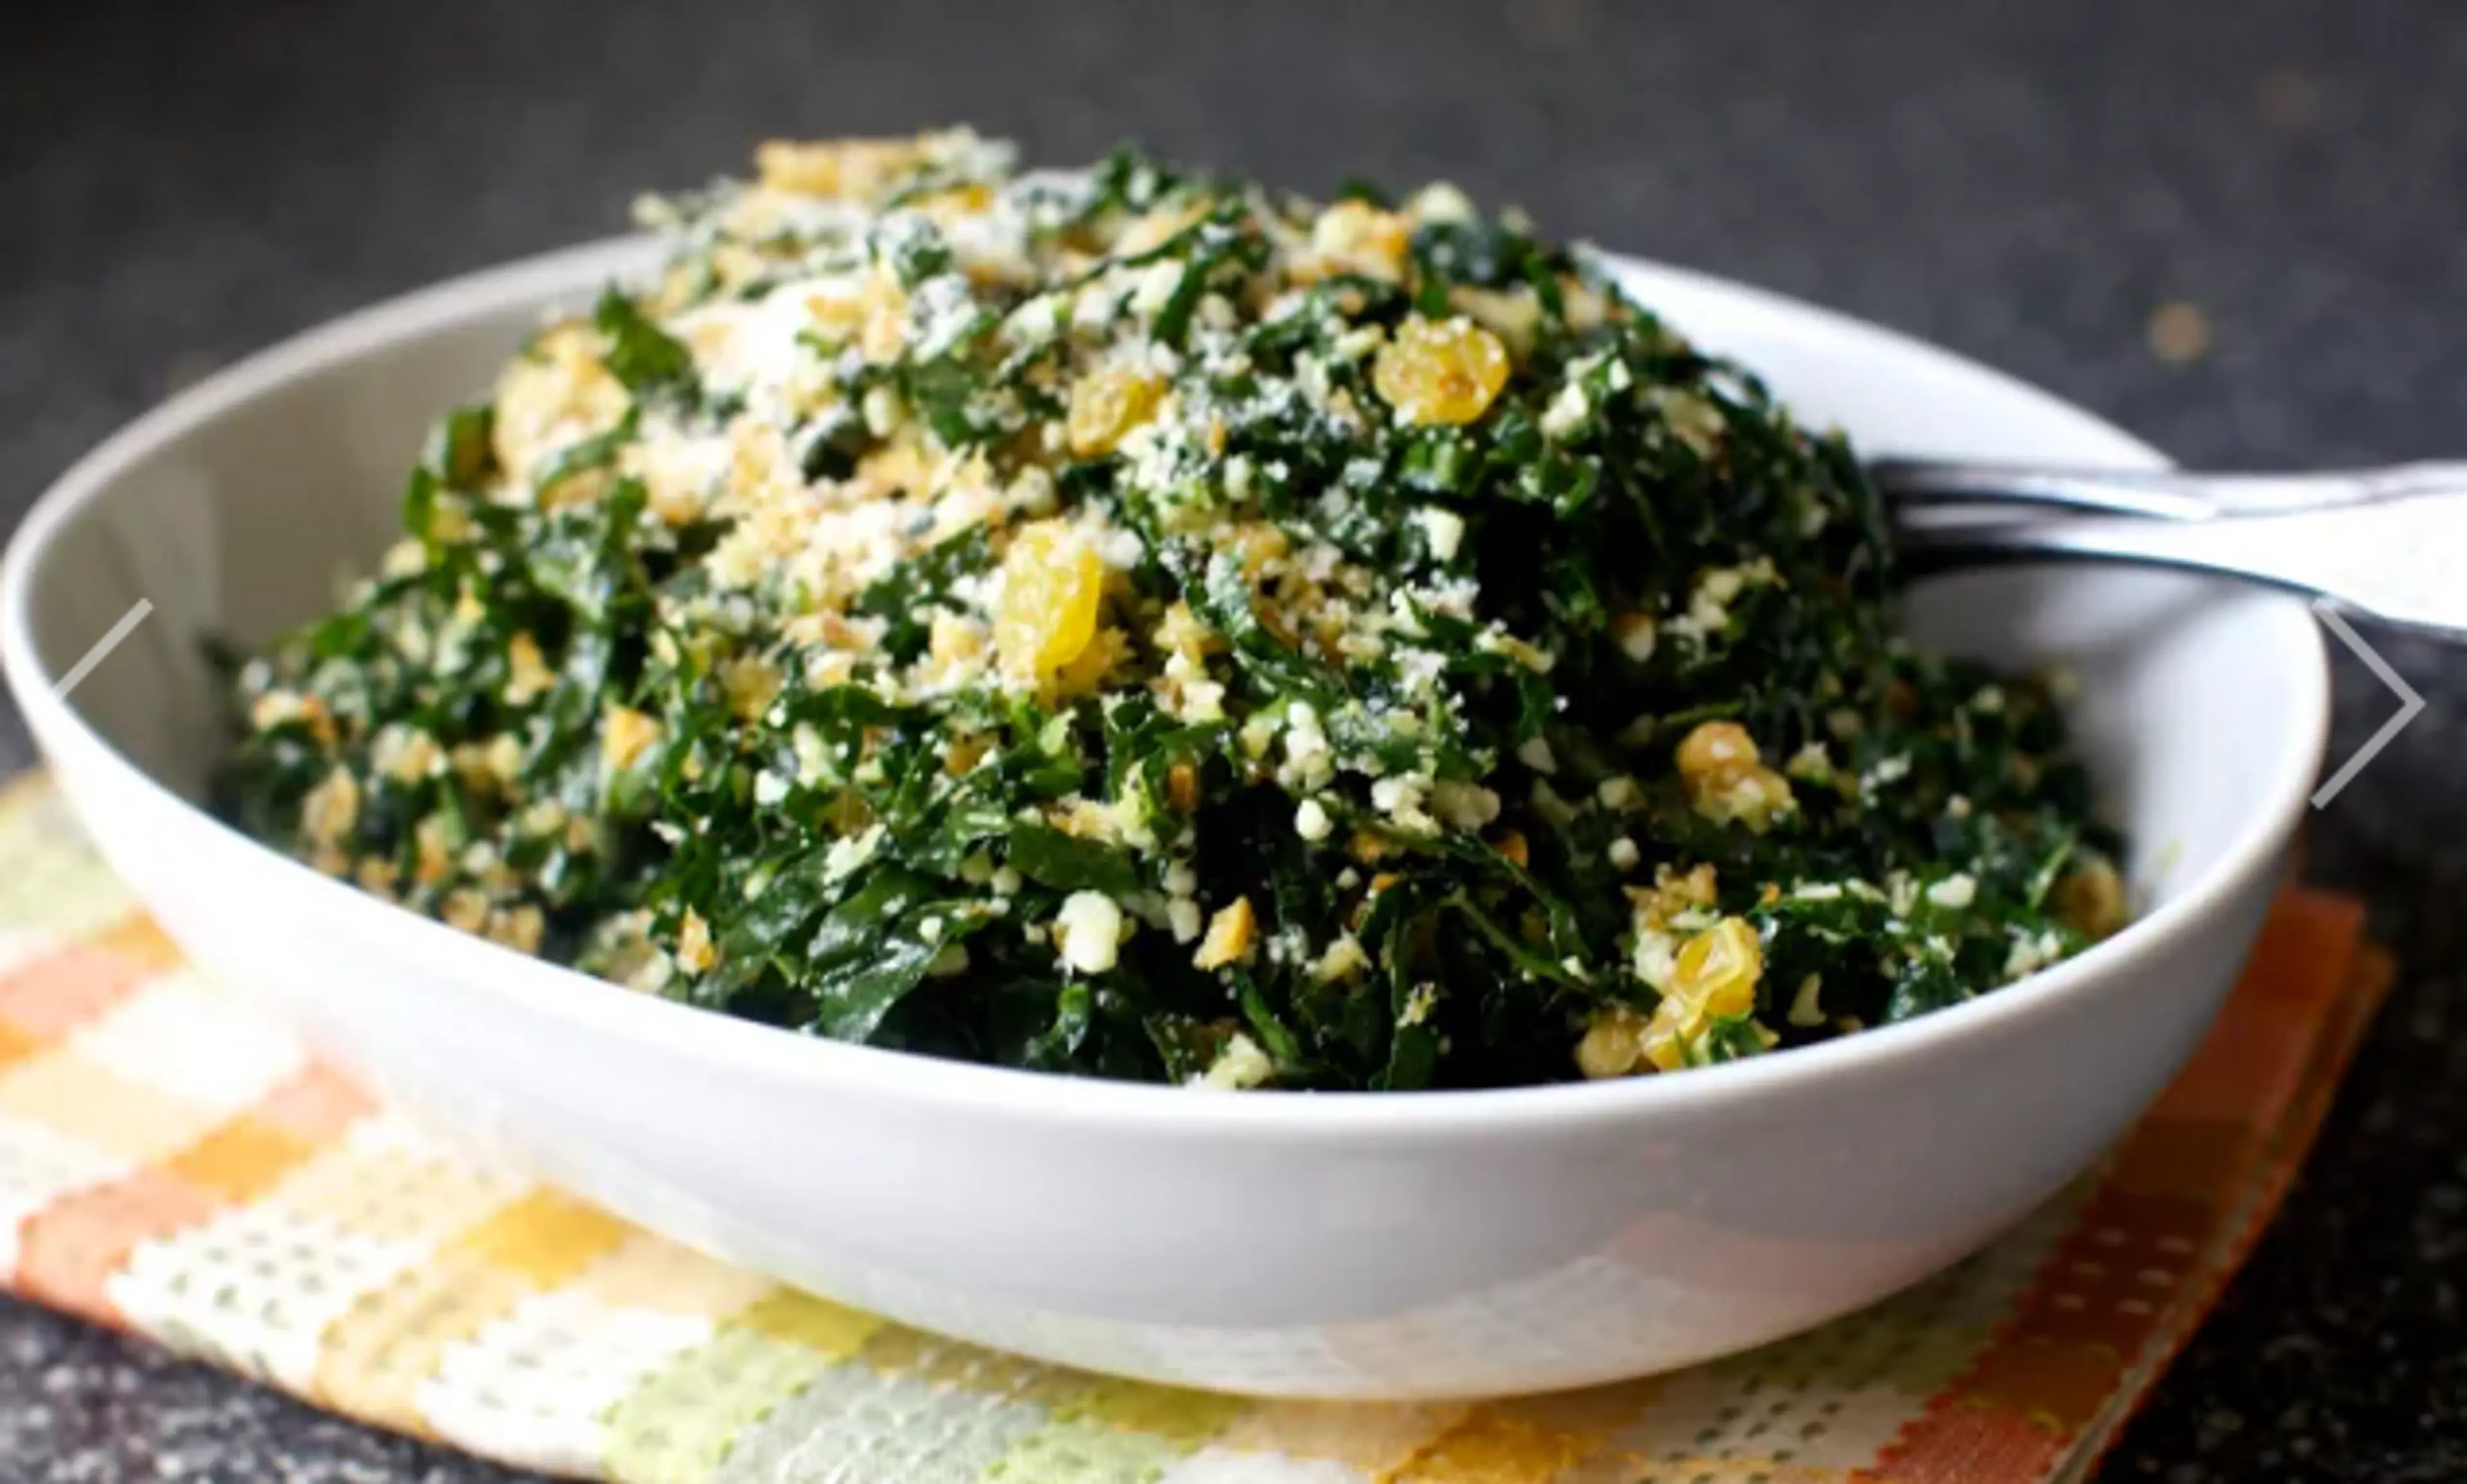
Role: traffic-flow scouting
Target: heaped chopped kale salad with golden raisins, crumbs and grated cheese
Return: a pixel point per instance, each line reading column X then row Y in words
column 1143, row 625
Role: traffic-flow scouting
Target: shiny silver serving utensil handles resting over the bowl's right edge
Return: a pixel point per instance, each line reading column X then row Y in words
column 2382, row 544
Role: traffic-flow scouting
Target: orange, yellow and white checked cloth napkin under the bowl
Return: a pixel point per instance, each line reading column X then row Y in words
column 176, row 1165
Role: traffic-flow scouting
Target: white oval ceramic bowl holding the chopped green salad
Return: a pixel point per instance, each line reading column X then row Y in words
column 1385, row 1246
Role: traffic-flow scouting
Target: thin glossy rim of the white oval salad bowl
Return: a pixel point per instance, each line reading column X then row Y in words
column 675, row 1029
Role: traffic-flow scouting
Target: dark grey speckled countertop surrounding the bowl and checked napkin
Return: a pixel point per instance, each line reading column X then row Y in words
column 2022, row 181
